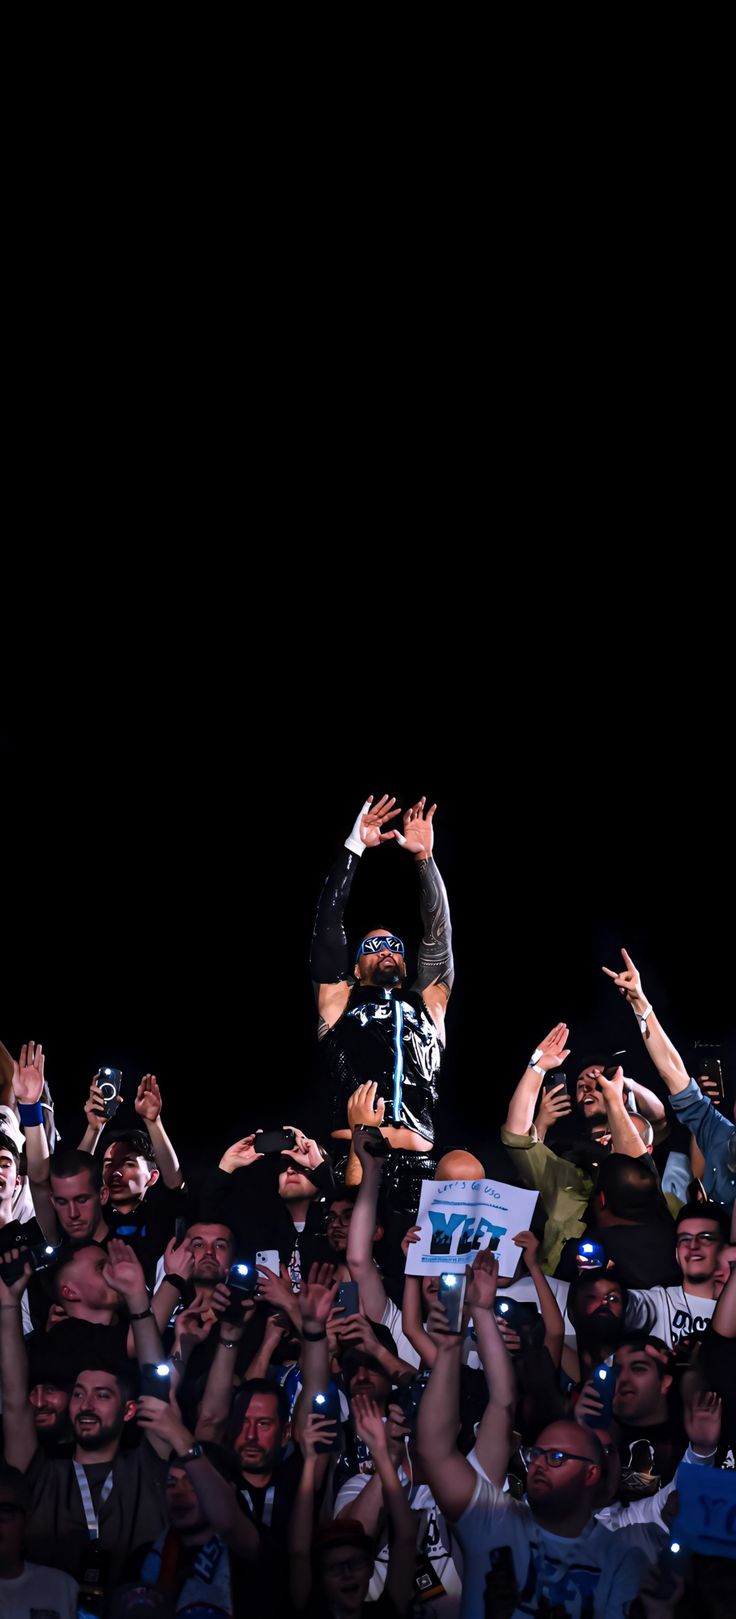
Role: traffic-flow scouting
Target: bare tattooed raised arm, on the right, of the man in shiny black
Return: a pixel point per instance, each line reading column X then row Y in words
column 436, row 953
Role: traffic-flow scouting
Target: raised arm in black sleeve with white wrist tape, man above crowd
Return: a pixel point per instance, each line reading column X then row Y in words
column 329, row 958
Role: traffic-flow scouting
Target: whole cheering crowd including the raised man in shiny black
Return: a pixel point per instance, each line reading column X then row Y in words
column 235, row 1398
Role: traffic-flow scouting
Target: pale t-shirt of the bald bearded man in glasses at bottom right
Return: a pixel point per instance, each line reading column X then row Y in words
column 596, row 1568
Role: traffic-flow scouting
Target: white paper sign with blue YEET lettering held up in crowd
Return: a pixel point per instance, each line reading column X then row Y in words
column 462, row 1217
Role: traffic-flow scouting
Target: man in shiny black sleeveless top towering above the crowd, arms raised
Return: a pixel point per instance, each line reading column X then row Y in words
column 383, row 1040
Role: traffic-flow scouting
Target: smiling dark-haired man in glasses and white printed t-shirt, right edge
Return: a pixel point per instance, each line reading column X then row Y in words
column 674, row 1314
